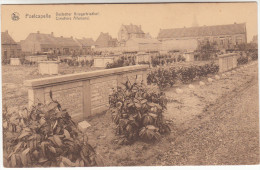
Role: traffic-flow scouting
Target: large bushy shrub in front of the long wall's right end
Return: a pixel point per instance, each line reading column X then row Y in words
column 138, row 112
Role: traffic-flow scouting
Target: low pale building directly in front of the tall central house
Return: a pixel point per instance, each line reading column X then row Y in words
column 143, row 44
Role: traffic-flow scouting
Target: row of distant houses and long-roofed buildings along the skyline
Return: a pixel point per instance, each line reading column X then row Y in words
column 130, row 38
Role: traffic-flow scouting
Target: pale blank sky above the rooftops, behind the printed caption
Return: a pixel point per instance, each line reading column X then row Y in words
column 109, row 18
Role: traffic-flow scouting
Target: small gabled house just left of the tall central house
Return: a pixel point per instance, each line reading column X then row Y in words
column 105, row 40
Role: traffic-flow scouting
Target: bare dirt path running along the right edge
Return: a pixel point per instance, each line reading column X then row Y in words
column 227, row 133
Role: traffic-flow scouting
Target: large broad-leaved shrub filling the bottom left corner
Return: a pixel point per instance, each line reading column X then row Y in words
column 45, row 136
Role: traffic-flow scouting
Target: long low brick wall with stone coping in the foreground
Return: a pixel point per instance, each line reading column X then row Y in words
column 83, row 94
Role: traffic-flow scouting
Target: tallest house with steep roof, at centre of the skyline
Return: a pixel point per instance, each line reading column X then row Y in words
column 127, row 32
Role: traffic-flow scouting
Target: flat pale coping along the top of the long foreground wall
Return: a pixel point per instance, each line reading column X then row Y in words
column 50, row 81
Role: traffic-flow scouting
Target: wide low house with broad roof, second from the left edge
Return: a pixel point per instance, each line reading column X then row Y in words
column 48, row 43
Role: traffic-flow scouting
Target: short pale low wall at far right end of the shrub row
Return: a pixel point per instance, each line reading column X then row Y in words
column 227, row 61
